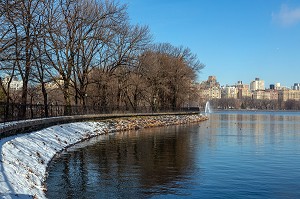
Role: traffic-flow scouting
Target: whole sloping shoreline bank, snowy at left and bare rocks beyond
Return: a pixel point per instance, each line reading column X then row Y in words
column 24, row 158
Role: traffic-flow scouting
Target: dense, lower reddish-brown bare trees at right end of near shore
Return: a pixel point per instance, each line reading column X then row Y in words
column 162, row 79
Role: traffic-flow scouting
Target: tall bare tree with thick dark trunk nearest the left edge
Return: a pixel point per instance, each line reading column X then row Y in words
column 21, row 20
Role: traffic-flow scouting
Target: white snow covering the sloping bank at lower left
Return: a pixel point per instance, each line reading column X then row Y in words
column 24, row 158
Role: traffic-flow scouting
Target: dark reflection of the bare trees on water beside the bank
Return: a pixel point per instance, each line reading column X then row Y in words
column 126, row 164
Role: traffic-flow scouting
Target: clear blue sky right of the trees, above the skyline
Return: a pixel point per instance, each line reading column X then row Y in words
column 235, row 39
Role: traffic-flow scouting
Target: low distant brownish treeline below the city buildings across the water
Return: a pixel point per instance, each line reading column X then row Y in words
column 249, row 103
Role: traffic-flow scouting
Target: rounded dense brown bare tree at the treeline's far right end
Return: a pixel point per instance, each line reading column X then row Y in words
column 169, row 72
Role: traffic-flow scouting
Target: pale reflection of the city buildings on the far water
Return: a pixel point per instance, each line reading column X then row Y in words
column 273, row 126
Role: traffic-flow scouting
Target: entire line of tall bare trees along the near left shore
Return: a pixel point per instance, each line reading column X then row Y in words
column 86, row 53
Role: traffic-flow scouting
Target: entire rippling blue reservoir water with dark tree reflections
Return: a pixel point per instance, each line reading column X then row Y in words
column 232, row 155
